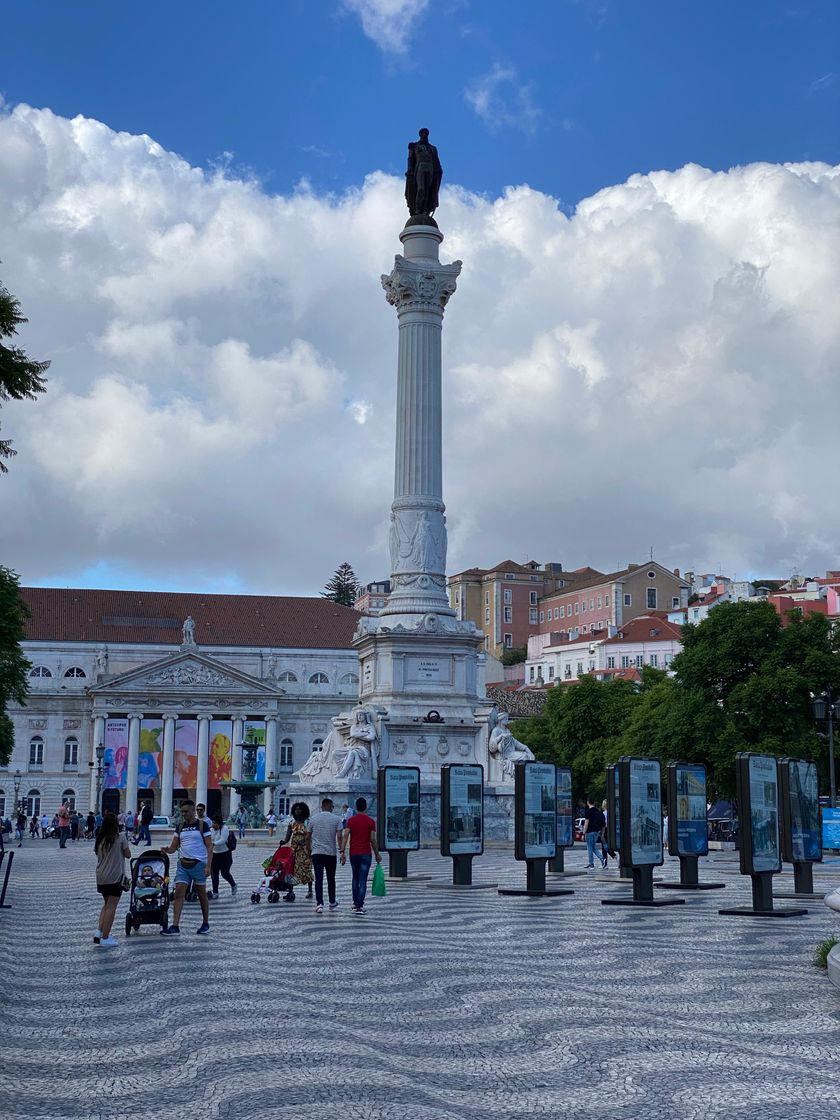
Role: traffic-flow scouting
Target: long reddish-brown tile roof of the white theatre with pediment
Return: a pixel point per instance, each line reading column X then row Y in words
column 156, row 618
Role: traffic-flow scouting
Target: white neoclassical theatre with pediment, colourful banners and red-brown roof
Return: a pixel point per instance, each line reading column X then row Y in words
column 171, row 685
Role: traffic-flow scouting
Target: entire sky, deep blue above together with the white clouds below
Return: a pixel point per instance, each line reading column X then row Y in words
column 641, row 353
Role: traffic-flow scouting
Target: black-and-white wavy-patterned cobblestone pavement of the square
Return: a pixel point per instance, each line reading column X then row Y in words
column 435, row 1006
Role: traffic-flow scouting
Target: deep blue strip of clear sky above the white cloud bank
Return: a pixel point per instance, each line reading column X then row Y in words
column 567, row 96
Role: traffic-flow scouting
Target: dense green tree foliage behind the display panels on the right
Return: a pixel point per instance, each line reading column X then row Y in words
column 744, row 682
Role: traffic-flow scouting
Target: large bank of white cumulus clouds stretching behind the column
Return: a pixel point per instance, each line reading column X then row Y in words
column 658, row 369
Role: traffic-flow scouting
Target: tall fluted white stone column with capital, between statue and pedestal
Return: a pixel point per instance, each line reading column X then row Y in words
column 419, row 287
